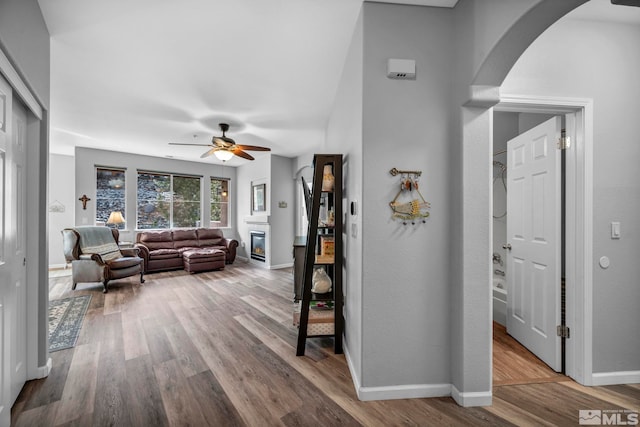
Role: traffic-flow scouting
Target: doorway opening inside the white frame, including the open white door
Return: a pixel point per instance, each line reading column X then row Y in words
column 527, row 282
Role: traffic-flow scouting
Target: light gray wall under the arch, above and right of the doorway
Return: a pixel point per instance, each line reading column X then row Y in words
column 600, row 61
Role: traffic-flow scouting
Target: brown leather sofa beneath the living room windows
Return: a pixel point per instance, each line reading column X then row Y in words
column 164, row 249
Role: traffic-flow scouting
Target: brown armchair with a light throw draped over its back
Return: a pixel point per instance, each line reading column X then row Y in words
column 95, row 256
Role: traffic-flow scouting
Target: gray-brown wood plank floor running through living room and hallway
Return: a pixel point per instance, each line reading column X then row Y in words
column 218, row 348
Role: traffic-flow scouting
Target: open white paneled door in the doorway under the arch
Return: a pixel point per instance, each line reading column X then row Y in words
column 534, row 236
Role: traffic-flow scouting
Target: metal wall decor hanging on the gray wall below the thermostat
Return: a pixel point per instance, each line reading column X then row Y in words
column 409, row 204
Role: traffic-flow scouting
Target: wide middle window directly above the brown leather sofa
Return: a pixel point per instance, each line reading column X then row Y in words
column 167, row 200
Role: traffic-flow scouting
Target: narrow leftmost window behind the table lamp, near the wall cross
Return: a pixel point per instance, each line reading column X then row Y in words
column 110, row 194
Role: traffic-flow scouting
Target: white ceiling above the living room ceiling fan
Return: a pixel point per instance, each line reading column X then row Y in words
column 133, row 76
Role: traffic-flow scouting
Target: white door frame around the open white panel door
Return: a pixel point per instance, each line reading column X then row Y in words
column 579, row 220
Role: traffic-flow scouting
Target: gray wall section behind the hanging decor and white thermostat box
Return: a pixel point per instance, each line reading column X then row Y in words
column 406, row 339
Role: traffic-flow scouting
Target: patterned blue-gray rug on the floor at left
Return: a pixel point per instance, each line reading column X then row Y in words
column 65, row 321
